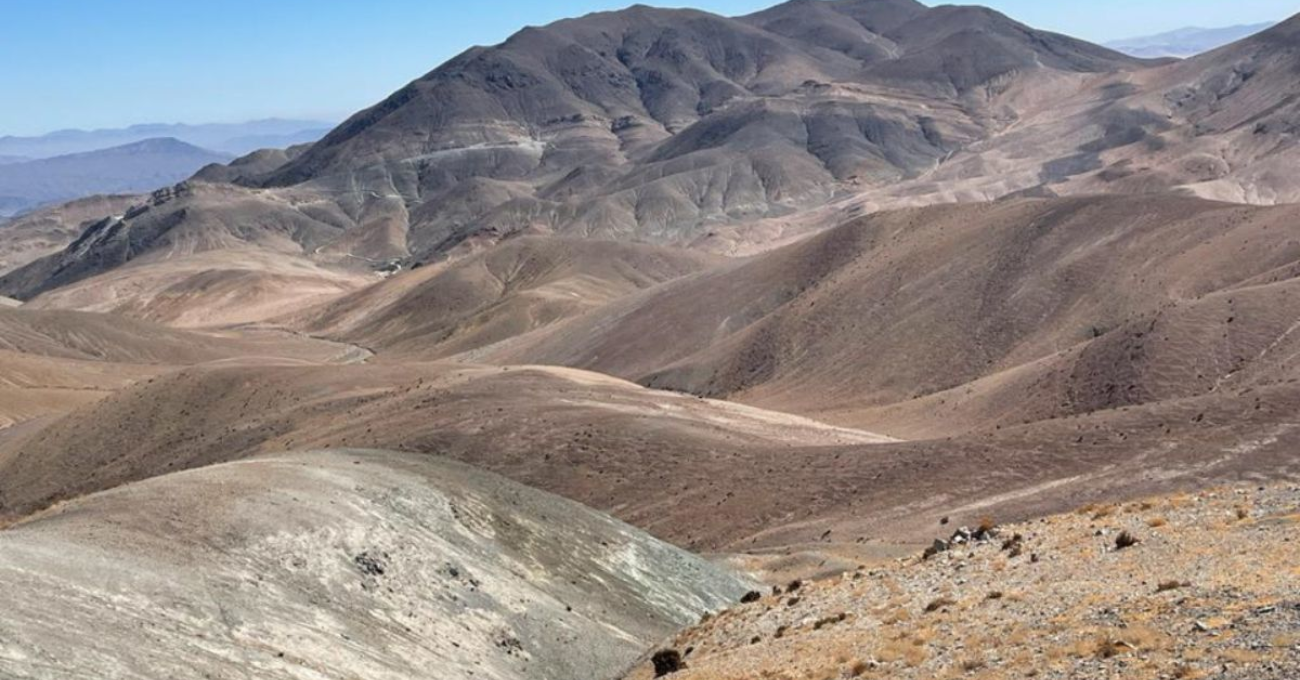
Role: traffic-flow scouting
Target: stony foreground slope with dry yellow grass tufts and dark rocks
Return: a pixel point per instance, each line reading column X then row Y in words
column 1211, row 591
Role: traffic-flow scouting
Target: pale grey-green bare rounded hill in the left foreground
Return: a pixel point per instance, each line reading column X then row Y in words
column 340, row 565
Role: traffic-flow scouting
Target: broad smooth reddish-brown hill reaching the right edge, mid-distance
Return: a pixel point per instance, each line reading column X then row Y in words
column 948, row 319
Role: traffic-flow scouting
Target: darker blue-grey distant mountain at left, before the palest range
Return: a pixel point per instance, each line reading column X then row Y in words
column 127, row 170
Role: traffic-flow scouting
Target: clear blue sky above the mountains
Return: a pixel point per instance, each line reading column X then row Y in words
column 114, row 63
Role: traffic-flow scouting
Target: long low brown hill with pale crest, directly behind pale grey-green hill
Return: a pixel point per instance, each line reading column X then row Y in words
column 664, row 462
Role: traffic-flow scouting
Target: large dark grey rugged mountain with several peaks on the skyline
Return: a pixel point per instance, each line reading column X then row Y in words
column 645, row 124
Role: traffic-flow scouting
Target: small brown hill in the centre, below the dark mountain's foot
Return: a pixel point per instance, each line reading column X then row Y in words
column 519, row 287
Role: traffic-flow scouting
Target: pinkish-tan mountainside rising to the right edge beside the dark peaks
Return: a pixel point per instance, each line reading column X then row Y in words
column 1215, row 125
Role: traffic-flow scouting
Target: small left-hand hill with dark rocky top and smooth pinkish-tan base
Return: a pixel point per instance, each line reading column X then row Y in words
column 196, row 255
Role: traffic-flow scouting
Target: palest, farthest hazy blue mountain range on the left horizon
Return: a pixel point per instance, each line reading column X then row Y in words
column 235, row 140
